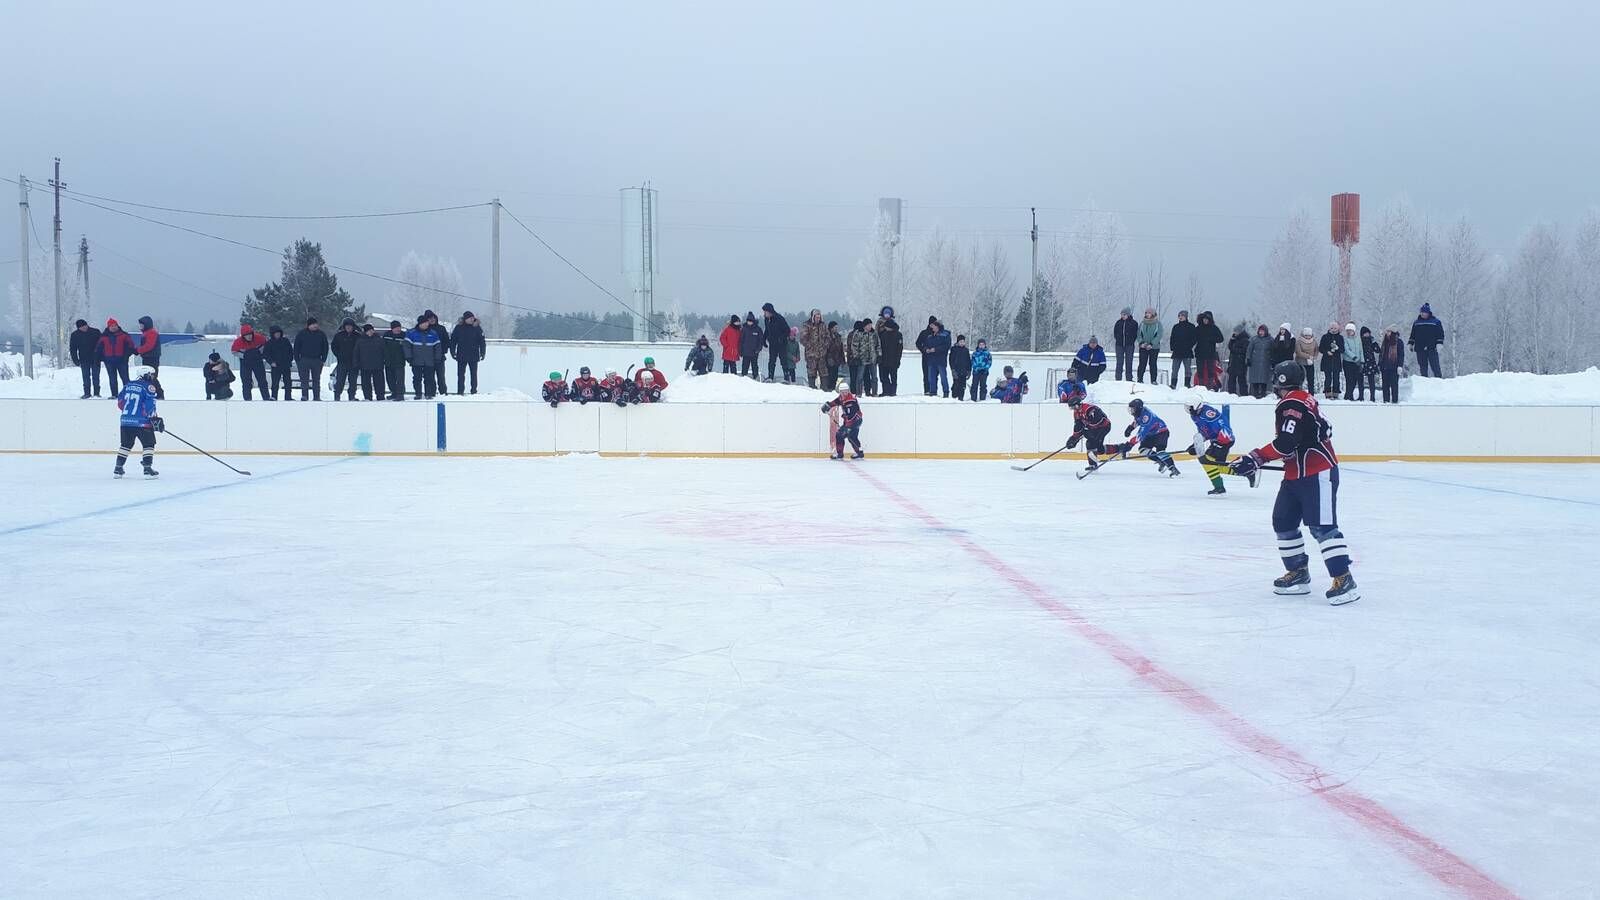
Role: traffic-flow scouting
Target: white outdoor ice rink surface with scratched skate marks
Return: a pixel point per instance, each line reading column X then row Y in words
column 759, row 678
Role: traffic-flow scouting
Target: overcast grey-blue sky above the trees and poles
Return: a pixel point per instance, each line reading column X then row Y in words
column 770, row 131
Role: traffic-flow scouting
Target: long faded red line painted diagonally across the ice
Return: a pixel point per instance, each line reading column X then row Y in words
column 1423, row 851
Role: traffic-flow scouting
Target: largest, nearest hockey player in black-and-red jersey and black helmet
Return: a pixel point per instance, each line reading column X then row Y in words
column 1310, row 492
